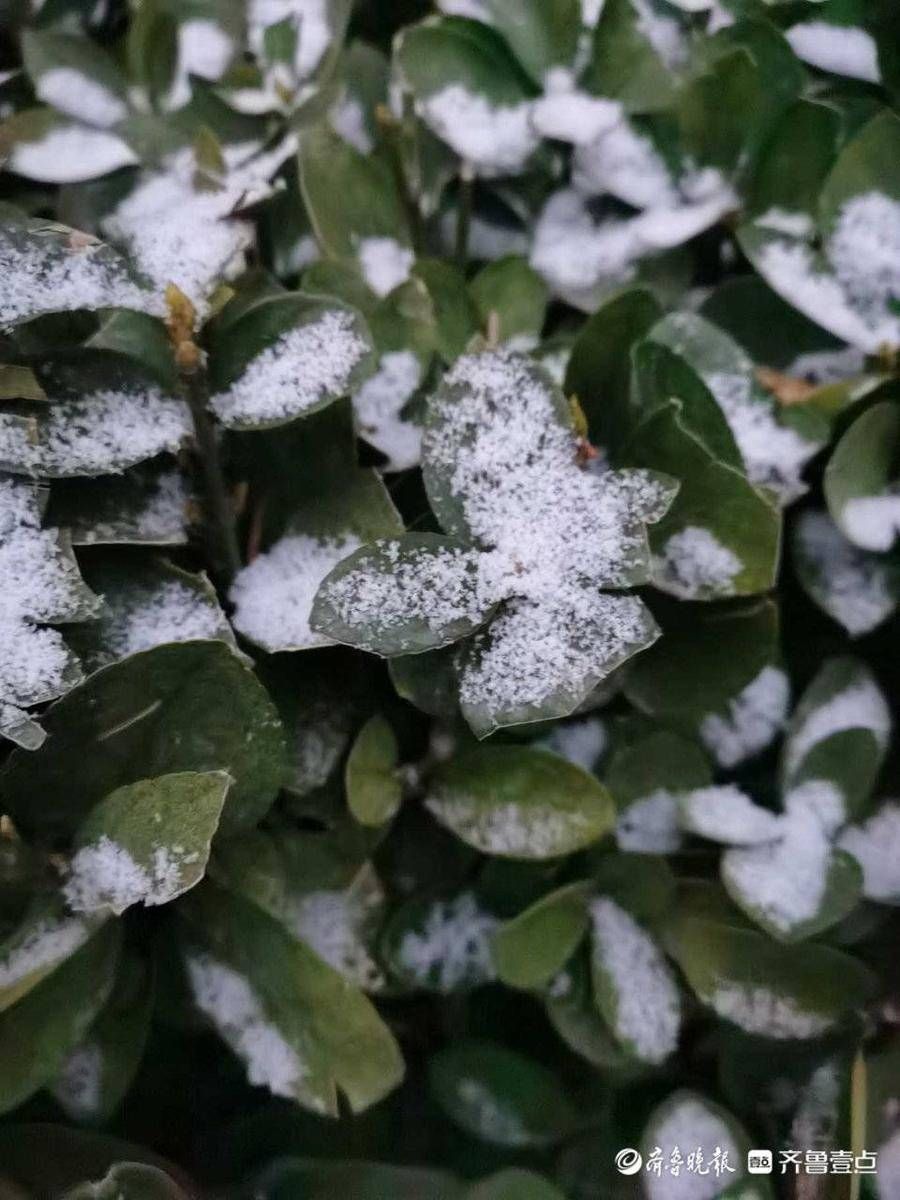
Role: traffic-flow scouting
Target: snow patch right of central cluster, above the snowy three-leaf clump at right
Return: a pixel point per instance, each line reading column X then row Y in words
column 751, row 721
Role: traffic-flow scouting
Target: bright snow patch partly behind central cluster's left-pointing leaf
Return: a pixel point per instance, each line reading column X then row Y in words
column 273, row 597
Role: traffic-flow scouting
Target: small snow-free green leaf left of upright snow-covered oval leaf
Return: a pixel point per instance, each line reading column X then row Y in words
column 536, row 945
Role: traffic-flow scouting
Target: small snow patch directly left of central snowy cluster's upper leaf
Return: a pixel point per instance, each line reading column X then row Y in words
column 379, row 405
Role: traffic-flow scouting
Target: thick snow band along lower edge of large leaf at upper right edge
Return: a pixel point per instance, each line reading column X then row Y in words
column 791, row 269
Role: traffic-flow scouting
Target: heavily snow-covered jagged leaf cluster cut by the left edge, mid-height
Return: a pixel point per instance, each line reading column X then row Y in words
column 41, row 586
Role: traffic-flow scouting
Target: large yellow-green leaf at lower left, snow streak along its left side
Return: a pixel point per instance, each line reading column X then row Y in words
column 254, row 981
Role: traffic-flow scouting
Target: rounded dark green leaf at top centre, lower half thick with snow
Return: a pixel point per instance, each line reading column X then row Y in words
column 471, row 92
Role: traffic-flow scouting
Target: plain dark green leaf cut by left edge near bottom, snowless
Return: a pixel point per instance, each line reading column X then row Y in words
column 39, row 1033
